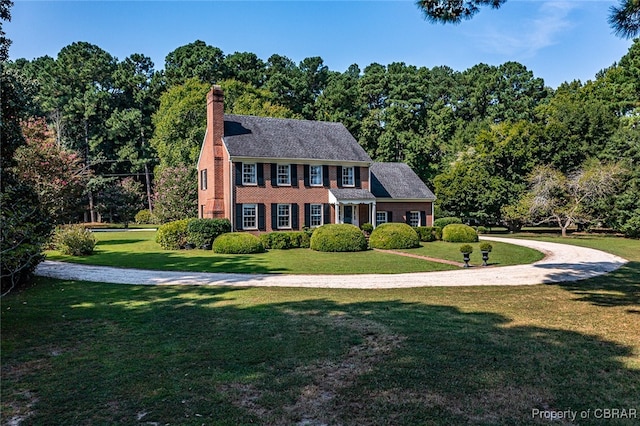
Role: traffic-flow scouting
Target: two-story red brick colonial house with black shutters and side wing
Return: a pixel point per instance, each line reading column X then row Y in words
column 268, row 174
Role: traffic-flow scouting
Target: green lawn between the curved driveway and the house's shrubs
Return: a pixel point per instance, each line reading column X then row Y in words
column 139, row 250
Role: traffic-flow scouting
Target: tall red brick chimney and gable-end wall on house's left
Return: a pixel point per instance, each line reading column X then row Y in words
column 212, row 165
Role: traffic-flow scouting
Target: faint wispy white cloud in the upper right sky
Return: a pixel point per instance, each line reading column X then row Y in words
column 525, row 37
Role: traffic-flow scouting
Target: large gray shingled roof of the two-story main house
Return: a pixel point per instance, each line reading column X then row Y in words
column 263, row 137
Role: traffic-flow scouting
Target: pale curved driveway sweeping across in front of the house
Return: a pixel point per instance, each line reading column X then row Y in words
column 561, row 263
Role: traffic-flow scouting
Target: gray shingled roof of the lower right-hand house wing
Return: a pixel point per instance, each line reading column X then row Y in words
column 397, row 180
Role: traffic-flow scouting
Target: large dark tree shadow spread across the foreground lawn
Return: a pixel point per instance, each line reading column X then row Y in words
column 113, row 354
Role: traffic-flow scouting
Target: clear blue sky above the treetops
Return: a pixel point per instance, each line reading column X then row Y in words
column 557, row 40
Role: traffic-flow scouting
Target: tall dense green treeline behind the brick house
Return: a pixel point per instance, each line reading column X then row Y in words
column 474, row 136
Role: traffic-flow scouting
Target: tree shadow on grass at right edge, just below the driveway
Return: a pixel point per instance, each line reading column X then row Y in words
column 618, row 288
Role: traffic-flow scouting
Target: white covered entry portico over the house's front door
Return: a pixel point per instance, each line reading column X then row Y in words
column 355, row 206
